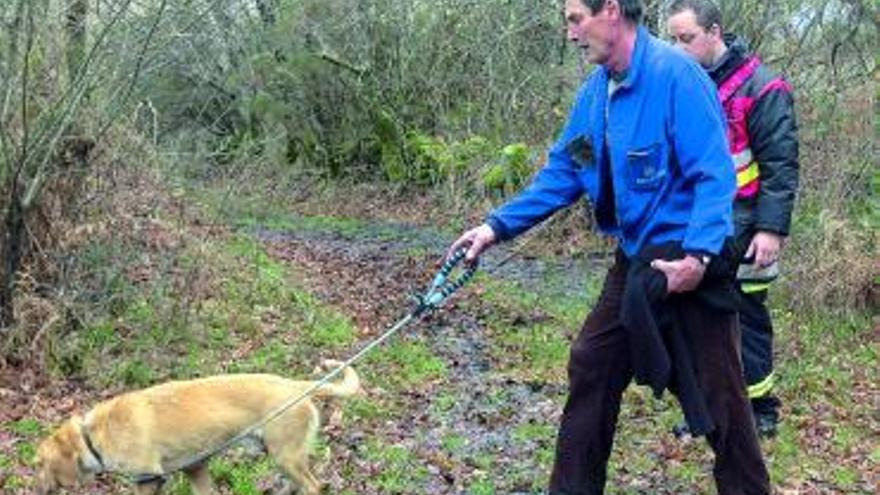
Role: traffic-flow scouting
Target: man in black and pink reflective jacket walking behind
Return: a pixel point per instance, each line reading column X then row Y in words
column 763, row 138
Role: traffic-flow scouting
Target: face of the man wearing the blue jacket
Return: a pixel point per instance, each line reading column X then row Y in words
column 591, row 32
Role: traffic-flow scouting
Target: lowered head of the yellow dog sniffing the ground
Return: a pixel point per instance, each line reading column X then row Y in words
column 61, row 457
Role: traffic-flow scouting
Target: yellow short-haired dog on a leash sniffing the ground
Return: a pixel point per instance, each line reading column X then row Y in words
column 147, row 431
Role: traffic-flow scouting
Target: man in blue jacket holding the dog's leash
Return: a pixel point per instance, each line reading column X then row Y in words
column 646, row 142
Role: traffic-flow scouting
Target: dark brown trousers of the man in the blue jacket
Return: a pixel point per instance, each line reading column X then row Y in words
column 599, row 370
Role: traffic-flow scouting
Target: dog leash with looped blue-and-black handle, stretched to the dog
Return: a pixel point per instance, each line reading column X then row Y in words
column 444, row 284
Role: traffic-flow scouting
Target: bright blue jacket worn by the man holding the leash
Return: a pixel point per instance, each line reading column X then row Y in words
column 673, row 176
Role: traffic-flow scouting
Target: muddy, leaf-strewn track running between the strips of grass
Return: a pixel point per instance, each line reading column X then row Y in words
column 368, row 273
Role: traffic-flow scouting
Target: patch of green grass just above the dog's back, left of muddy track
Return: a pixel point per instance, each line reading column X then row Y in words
column 255, row 303
